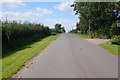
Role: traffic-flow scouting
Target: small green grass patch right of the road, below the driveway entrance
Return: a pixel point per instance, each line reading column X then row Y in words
column 110, row 47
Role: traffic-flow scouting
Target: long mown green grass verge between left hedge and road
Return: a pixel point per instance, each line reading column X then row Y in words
column 12, row 63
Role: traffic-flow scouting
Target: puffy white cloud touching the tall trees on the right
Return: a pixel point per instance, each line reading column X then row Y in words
column 64, row 6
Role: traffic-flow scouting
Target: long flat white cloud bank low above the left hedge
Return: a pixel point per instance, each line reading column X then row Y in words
column 21, row 16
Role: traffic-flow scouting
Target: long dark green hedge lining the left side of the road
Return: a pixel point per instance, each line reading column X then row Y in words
column 15, row 35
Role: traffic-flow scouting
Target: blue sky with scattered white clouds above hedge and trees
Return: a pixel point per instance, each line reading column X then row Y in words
column 47, row 13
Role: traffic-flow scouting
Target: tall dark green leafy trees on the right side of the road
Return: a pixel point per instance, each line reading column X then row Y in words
column 98, row 19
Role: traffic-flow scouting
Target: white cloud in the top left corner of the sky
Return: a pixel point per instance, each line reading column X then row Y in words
column 12, row 3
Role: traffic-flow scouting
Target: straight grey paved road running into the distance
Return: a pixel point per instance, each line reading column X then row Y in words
column 70, row 56
